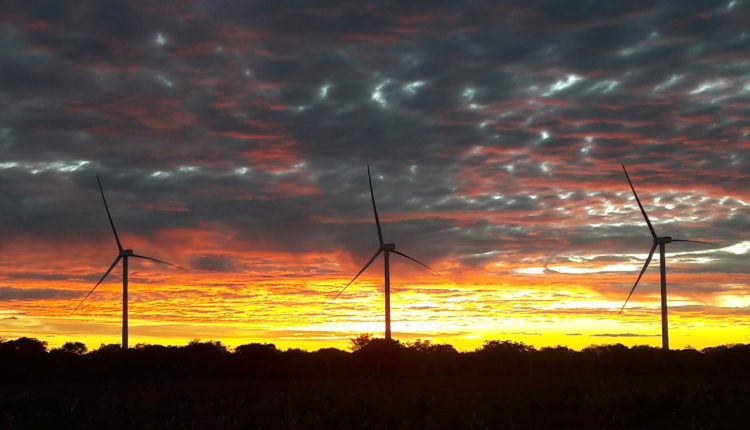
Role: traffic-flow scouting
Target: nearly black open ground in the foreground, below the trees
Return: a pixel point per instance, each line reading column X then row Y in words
column 511, row 402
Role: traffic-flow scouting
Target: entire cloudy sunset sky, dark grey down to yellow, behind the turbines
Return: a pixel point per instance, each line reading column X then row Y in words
column 232, row 139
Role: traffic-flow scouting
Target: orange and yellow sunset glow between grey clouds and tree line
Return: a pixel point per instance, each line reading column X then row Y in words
column 274, row 301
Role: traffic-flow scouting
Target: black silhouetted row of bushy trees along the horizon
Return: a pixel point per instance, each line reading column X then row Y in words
column 28, row 359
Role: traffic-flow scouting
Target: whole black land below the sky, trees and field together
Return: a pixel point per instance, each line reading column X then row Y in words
column 503, row 385
